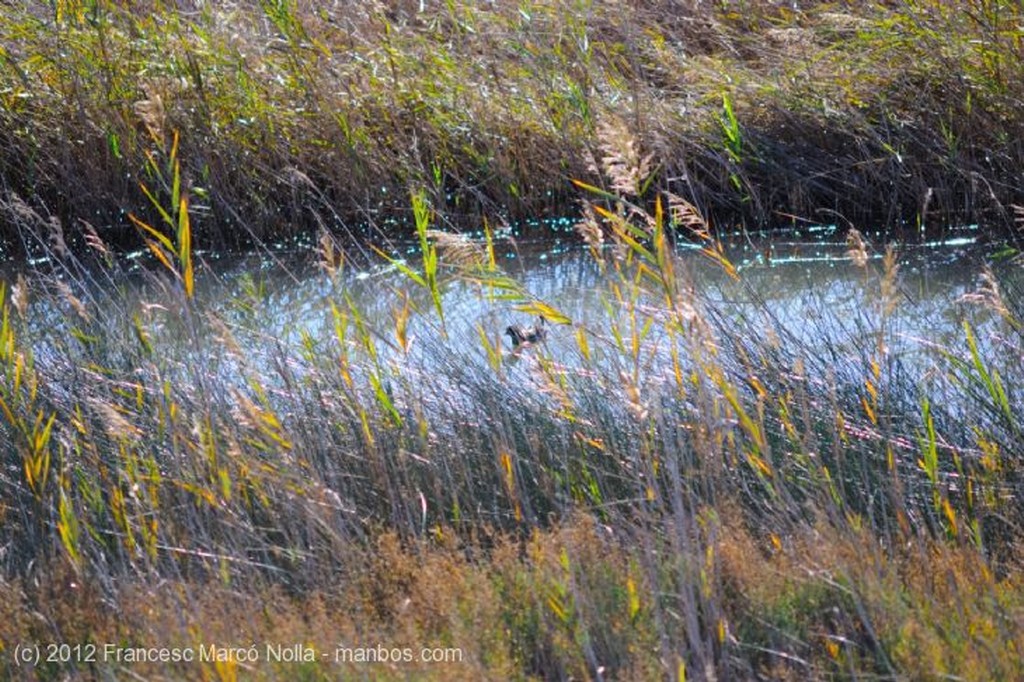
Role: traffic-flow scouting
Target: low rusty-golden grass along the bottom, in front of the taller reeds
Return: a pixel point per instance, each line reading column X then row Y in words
column 818, row 604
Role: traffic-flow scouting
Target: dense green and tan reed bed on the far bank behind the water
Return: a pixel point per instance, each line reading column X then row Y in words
column 294, row 115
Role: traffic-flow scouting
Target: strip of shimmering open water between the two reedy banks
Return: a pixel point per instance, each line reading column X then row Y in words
column 801, row 289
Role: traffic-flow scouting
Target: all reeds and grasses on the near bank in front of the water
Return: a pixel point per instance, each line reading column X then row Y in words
column 675, row 489
